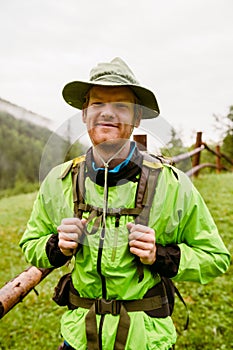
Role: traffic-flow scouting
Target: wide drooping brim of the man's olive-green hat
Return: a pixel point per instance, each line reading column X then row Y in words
column 74, row 94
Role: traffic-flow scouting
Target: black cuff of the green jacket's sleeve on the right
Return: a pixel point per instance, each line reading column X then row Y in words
column 167, row 260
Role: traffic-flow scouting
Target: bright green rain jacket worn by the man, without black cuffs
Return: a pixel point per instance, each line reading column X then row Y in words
column 178, row 215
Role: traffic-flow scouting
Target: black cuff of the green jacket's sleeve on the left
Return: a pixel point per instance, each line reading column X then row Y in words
column 55, row 256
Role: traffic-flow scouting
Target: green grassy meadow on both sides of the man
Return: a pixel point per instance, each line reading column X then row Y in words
column 34, row 324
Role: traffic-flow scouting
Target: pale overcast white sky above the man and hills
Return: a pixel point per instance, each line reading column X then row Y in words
column 181, row 49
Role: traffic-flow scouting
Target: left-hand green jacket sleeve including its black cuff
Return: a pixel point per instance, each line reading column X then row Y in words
column 53, row 203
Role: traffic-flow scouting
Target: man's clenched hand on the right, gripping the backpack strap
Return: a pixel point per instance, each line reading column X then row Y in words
column 142, row 242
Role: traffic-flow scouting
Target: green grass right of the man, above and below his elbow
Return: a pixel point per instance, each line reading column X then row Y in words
column 210, row 306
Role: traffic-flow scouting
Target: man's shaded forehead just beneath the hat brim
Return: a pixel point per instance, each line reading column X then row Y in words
column 116, row 93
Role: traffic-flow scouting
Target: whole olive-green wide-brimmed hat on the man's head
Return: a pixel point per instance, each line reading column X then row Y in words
column 114, row 73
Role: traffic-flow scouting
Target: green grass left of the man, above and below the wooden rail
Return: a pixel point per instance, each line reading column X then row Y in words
column 35, row 323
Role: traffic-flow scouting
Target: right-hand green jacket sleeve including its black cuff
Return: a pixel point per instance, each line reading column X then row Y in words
column 184, row 223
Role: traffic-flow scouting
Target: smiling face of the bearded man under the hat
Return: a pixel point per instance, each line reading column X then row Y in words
column 110, row 114
